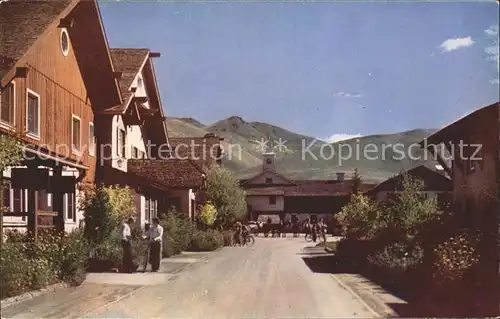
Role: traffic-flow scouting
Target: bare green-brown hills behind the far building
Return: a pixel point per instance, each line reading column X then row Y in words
column 304, row 156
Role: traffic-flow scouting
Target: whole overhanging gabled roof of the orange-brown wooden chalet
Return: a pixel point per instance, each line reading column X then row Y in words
column 25, row 23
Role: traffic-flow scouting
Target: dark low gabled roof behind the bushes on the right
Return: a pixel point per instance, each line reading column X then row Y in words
column 433, row 181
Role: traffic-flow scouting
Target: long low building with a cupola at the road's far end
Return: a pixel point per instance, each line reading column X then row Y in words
column 270, row 194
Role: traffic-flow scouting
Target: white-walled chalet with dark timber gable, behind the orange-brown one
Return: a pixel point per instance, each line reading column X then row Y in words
column 134, row 129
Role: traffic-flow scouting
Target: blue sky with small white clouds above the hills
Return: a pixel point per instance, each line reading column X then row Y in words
column 316, row 68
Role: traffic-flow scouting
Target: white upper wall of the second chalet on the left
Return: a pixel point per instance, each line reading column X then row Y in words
column 133, row 138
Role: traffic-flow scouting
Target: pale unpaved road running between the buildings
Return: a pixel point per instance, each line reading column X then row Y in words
column 268, row 280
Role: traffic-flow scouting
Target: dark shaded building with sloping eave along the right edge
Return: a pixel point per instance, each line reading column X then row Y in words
column 474, row 146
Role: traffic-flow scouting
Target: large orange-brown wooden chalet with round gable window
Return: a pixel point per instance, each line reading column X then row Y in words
column 55, row 74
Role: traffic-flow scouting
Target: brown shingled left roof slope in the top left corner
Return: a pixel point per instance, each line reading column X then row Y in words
column 18, row 34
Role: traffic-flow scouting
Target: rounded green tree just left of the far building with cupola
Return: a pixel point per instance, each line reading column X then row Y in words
column 226, row 194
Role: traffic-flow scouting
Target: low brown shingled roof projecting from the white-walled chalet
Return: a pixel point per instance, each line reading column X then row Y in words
column 171, row 173
